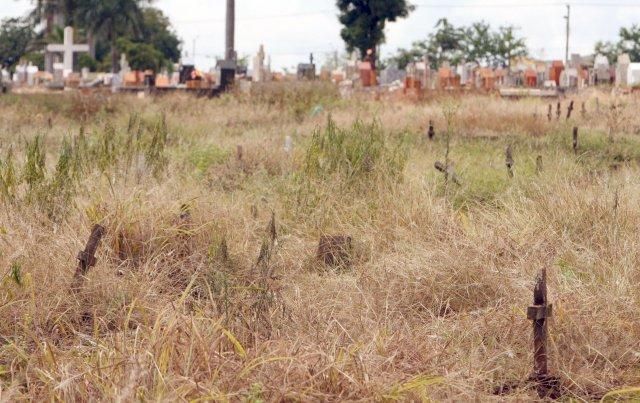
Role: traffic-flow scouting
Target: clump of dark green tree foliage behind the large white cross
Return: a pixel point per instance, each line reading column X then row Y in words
column 110, row 26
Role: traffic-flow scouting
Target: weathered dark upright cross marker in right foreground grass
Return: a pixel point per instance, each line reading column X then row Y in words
column 539, row 312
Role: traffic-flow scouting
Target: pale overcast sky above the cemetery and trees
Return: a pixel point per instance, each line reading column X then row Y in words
column 291, row 29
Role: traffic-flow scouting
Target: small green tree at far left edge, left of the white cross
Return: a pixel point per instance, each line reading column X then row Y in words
column 15, row 36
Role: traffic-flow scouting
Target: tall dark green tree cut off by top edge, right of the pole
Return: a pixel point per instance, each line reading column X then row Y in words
column 364, row 22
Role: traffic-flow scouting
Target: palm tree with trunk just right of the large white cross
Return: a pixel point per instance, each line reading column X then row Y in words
column 111, row 17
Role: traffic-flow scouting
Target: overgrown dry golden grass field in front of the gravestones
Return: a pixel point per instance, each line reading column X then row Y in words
column 207, row 286
